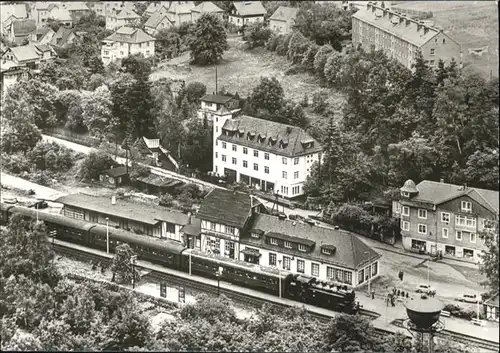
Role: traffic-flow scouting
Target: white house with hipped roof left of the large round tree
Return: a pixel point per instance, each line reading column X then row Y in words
column 127, row 41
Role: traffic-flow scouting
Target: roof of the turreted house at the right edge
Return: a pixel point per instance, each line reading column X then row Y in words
column 437, row 193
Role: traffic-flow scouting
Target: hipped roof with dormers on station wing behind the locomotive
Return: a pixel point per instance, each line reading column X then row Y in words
column 350, row 251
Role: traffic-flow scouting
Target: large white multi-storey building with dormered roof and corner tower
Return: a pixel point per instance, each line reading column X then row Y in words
column 264, row 154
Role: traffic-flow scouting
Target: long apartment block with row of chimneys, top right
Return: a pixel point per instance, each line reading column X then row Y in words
column 401, row 37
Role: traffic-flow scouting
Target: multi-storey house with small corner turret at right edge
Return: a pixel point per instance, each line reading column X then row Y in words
column 446, row 218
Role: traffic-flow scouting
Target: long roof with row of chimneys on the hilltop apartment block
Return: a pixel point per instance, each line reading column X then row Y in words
column 399, row 28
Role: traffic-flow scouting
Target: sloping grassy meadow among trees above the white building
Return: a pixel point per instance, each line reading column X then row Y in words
column 240, row 71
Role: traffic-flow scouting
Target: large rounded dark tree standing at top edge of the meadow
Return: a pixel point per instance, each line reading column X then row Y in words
column 209, row 40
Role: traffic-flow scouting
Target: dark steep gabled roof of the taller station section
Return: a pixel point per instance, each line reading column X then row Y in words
column 227, row 207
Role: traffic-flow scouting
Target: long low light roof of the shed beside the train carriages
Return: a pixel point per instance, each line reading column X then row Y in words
column 124, row 209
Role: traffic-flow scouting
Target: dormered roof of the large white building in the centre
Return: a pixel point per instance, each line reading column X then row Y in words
column 294, row 137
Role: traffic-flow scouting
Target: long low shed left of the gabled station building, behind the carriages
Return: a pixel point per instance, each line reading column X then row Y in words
column 156, row 221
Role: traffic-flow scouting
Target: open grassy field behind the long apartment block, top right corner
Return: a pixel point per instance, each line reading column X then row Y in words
column 473, row 24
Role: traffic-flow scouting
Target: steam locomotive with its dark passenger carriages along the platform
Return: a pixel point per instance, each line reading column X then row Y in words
column 172, row 254
